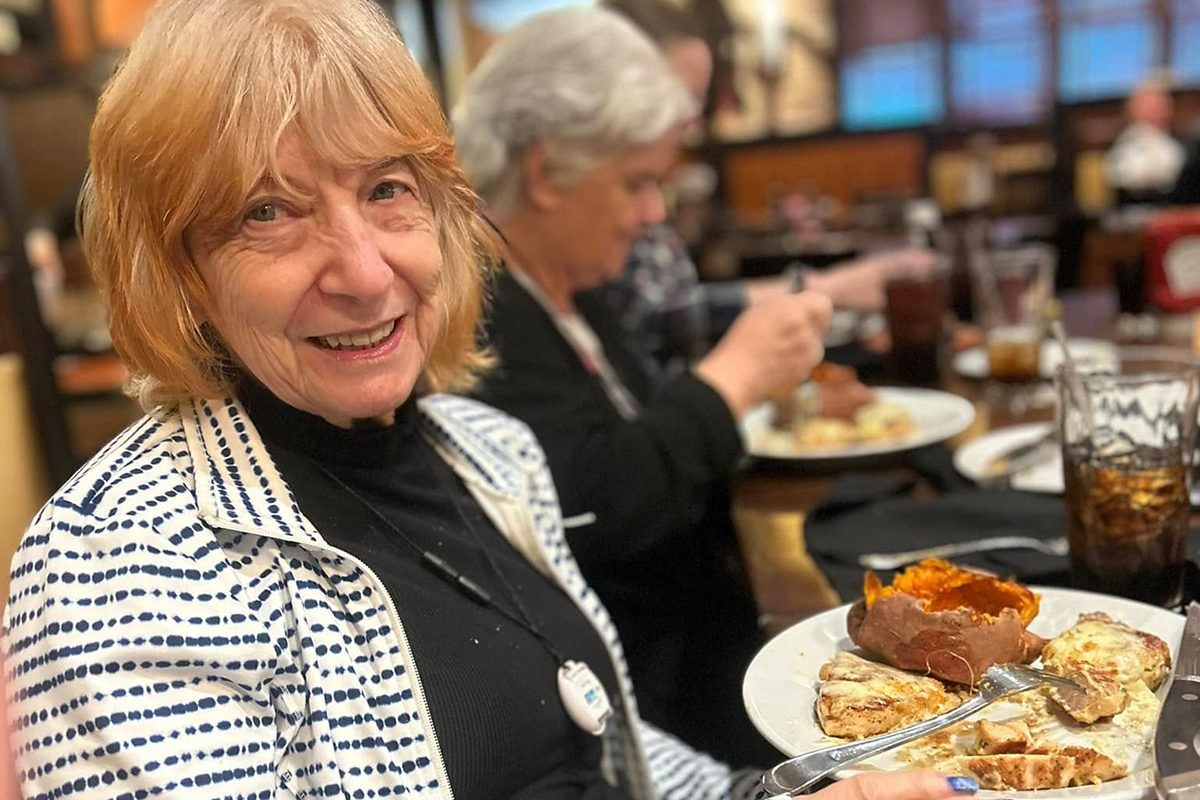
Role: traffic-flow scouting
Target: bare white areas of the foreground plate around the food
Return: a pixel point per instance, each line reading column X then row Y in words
column 781, row 685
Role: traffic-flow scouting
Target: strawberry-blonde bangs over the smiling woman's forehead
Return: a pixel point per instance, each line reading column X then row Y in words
column 347, row 115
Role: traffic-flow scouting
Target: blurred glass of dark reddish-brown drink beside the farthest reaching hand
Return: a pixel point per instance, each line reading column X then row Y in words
column 916, row 311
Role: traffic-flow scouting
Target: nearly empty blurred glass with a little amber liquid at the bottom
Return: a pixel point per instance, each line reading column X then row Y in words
column 1013, row 290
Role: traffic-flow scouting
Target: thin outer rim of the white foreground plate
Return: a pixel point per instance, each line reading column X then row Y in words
column 1141, row 790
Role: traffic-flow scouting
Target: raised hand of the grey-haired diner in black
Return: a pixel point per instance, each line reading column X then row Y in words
column 771, row 346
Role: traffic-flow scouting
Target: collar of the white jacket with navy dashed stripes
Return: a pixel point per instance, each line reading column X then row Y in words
column 239, row 488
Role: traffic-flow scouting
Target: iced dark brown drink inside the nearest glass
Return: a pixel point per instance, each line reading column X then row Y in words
column 1127, row 521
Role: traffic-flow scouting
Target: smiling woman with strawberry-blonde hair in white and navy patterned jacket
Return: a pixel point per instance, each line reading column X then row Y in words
column 307, row 574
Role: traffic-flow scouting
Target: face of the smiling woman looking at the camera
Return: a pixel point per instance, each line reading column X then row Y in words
column 328, row 297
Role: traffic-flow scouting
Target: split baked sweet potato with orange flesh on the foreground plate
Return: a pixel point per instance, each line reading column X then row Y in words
column 946, row 622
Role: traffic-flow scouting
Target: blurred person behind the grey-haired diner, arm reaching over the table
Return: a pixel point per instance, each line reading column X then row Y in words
column 673, row 318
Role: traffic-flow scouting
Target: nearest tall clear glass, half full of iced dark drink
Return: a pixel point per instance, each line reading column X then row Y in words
column 1129, row 478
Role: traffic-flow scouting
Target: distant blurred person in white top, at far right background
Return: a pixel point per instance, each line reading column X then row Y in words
column 1145, row 160
